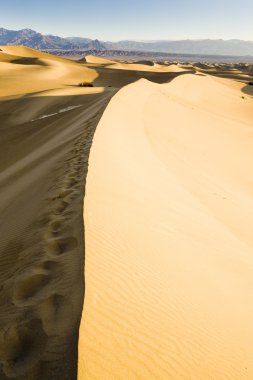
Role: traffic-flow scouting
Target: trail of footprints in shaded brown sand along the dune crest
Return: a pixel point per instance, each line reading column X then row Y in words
column 42, row 293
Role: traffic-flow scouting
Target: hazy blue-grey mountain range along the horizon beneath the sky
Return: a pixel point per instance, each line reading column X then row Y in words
column 33, row 39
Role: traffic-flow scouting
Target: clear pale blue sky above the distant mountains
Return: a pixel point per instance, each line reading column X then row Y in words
column 132, row 19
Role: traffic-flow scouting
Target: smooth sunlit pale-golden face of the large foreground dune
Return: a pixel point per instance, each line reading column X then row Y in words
column 169, row 247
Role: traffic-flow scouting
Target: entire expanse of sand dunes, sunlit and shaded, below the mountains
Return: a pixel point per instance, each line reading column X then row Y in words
column 126, row 247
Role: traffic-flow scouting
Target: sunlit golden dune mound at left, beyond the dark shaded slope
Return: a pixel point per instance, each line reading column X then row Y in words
column 24, row 70
